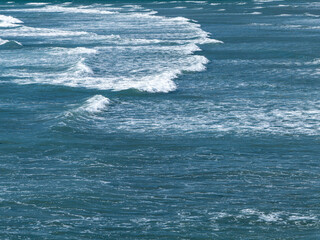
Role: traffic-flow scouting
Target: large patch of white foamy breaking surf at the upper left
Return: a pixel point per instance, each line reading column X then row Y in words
column 117, row 48
